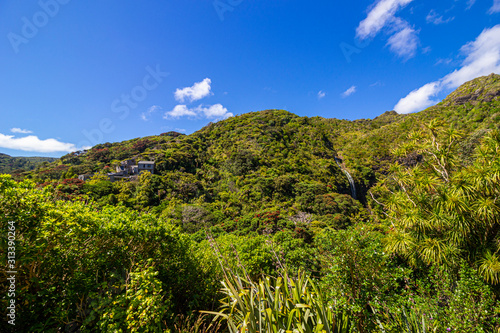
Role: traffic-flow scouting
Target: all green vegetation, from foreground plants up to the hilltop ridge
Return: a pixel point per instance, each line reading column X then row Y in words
column 253, row 219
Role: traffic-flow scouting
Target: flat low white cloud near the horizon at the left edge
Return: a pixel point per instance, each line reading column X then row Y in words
column 34, row 144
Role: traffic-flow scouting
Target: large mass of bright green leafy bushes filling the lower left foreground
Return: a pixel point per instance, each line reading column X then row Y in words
column 71, row 254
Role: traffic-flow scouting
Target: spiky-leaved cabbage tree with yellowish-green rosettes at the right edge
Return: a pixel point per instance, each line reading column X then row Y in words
column 440, row 211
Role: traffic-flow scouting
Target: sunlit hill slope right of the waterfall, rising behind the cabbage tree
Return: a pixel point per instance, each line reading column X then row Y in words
column 474, row 109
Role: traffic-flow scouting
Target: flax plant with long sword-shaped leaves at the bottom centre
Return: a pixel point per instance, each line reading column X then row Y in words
column 282, row 304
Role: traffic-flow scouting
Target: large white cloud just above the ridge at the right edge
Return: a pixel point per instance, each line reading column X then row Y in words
column 482, row 58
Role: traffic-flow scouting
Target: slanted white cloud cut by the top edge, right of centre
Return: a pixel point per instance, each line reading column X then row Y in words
column 379, row 16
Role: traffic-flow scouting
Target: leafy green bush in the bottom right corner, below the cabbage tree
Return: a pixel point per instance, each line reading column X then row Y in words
column 443, row 303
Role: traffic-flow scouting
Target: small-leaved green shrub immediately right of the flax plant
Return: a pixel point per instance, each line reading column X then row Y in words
column 358, row 276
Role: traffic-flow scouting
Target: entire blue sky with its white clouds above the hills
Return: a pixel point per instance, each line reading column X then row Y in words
column 78, row 73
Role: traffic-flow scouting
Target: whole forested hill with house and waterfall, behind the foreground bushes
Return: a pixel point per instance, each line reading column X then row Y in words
column 270, row 161
